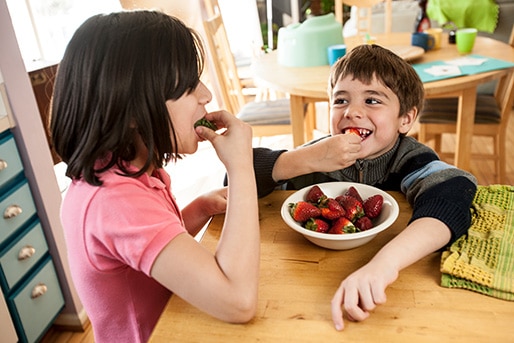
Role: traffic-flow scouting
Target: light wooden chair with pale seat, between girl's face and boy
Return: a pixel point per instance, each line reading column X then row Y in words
column 267, row 117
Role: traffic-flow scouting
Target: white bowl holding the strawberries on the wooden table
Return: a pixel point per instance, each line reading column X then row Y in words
column 387, row 217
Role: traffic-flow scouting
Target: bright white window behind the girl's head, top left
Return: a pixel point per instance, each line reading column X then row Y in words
column 44, row 27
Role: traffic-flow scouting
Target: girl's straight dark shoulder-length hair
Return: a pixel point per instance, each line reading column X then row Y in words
column 117, row 72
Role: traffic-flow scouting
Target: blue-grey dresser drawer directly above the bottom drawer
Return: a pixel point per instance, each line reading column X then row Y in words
column 23, row 255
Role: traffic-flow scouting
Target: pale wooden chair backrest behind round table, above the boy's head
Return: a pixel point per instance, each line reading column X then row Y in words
column 364, row 13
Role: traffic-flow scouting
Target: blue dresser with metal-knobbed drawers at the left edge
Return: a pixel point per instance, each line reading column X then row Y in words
column 28, row 277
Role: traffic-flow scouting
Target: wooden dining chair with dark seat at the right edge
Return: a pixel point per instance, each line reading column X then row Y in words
column 492, row 114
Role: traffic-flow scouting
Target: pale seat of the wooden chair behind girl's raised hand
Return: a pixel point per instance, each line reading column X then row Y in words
column 270, row 112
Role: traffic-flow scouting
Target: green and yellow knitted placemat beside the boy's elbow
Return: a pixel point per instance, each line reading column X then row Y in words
column 483, row 260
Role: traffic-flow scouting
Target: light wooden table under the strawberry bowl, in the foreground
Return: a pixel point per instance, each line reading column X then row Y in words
column 298, row 280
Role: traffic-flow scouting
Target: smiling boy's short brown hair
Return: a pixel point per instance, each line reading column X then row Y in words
column 365, row 62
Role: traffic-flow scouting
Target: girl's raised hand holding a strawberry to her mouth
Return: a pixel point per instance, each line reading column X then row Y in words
column 234, row 144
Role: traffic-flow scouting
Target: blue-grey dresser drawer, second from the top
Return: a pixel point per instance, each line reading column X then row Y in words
column 19, row 198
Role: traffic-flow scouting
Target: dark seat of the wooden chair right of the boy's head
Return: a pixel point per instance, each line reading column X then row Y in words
column 444, row 111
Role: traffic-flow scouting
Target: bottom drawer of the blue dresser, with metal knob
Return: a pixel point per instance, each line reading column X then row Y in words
column 36, row 311
